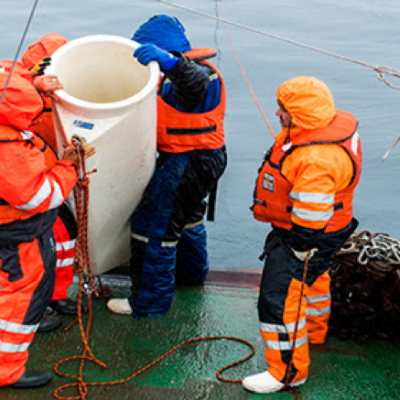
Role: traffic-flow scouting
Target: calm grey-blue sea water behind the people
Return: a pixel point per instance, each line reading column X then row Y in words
column 361, row 30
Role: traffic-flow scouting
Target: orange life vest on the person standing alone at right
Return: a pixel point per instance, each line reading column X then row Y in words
column 272, row 201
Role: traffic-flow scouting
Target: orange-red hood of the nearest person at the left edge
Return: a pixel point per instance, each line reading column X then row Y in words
column 21, row 103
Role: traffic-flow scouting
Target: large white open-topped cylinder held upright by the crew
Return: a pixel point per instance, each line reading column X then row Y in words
column 109, row 99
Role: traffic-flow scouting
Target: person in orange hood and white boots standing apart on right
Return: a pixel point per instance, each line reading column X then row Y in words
column 305, row 190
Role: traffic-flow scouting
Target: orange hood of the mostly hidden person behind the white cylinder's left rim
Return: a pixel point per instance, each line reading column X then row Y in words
column 44, row 47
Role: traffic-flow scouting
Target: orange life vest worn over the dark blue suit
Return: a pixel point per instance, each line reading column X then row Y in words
column 179, row 131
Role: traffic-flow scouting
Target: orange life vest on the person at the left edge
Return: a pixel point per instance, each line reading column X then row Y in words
column 9, row 213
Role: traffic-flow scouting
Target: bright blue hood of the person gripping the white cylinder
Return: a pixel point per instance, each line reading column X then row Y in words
column 165, row 32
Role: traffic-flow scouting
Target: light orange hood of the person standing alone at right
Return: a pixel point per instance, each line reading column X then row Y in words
column 309, row 102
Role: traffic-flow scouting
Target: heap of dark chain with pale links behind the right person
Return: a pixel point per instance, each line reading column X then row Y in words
column 365, row 288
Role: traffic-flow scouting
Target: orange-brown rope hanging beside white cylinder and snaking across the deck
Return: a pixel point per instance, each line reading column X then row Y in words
column 82, row 261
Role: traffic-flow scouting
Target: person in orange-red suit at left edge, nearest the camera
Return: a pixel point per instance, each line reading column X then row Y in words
column 33, row 185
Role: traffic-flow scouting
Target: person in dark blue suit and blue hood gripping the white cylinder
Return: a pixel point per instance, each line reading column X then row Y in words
column 168, row 234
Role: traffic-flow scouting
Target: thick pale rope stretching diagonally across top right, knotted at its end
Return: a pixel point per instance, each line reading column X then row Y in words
column 380, row 70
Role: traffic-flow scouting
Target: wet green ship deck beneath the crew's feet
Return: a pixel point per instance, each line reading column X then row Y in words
column 225, row 306
